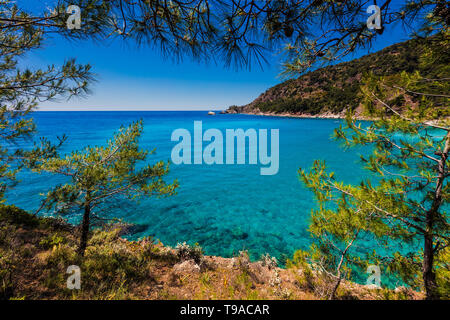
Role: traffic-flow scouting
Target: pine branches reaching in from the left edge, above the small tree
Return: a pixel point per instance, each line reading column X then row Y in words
column 22, row 88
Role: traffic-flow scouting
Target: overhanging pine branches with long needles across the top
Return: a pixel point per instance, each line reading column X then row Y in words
column 240, row 34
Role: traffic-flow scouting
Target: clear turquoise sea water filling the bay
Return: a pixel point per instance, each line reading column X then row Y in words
column 225, row 208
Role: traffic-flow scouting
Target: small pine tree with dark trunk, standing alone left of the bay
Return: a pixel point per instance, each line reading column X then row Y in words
column 99, row 175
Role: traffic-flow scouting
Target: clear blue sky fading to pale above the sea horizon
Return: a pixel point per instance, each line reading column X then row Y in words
column 139, row 78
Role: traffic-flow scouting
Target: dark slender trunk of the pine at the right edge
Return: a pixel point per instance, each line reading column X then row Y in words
column 429, row 277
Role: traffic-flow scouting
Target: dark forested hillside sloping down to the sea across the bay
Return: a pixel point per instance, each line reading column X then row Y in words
column 333, row 89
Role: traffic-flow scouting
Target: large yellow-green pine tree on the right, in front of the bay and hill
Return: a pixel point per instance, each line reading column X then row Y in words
column 407, row 205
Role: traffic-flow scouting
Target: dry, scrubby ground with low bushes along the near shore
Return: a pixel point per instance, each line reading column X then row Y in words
column 38, row 250
